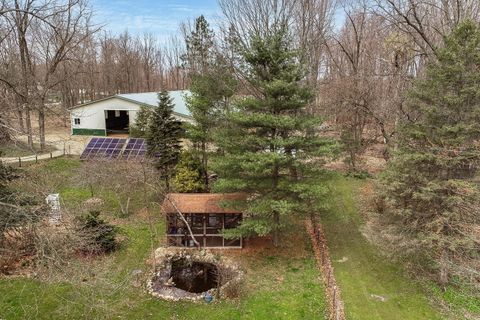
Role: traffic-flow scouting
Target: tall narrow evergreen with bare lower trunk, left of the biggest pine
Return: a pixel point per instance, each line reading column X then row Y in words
column 211, row 86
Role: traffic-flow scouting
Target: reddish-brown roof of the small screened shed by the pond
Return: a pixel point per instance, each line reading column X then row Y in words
column 200, row 202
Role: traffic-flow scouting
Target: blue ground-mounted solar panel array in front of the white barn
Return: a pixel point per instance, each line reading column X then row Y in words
column 114, row 148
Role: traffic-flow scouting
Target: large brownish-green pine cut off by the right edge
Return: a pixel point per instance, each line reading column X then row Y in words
column 428, row 186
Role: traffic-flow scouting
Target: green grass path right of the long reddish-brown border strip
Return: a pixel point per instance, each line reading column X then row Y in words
column 365, row 273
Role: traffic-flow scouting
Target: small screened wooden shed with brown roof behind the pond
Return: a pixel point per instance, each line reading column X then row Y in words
column 205, row 216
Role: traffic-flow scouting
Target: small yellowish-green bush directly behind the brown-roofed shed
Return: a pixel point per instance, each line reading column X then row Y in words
column 188, row 174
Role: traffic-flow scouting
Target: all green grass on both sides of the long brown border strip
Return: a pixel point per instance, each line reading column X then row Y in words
column 280, row 283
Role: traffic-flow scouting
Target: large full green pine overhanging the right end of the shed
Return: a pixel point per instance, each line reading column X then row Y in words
column 270, row 148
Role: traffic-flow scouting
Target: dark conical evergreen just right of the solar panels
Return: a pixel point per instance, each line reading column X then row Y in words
column 163, row 138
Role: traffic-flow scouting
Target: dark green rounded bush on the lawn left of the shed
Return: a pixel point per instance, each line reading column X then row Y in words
column 98, row 235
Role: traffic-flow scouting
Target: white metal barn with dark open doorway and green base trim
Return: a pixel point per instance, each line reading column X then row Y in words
column 115, row 114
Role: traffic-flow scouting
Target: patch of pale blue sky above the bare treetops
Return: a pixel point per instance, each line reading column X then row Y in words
column 160, row 17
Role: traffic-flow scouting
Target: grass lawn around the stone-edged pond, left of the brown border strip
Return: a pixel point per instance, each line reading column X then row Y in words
column 280, row 283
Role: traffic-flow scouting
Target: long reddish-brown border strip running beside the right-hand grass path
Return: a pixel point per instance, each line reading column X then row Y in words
column 332, row 291
